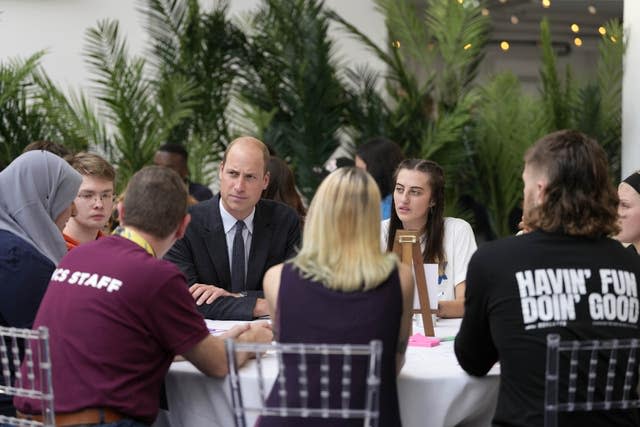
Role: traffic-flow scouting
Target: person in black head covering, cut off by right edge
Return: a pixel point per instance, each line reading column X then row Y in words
column 629, row 211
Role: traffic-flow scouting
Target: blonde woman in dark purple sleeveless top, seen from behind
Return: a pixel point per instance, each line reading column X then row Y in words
column 342, row 288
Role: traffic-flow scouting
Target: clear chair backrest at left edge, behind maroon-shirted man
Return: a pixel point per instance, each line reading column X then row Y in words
column 30, row 347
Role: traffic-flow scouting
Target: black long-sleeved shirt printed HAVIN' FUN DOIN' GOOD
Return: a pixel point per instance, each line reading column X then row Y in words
column 520, row 289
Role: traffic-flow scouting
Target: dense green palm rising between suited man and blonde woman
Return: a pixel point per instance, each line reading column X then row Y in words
column 292, row 78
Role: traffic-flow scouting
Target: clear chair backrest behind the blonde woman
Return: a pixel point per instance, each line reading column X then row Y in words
column 323, row 359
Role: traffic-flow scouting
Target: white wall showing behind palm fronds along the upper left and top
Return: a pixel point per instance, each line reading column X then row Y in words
column 27, row 26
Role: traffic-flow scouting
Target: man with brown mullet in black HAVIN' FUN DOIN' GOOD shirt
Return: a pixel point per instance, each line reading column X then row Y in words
column 565, row 276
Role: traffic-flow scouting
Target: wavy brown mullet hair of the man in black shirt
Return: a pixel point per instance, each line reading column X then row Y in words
column 579, row 199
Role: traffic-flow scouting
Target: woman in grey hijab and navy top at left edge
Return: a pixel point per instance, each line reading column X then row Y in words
column 36, row 194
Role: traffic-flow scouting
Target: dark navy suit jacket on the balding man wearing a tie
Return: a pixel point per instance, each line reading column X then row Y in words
column 203, row 257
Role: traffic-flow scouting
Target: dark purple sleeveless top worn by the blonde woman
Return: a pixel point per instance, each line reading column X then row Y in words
column 309, row 312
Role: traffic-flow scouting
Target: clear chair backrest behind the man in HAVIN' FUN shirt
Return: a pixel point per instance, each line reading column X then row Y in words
column 608, row 384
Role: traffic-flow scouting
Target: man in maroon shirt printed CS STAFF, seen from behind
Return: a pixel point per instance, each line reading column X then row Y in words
column 118, row 314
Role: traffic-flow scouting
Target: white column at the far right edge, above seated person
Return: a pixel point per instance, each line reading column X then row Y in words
column 631, row 90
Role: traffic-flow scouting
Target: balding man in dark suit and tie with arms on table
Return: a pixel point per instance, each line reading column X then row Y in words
column 235, row 237
